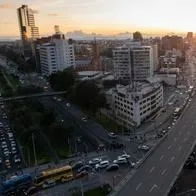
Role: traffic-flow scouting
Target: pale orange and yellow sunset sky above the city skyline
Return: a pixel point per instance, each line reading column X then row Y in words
column 102, row 16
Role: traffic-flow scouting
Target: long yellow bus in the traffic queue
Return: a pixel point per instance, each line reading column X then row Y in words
column 62, row 174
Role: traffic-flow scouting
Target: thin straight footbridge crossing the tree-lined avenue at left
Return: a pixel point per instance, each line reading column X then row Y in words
column 32, row 95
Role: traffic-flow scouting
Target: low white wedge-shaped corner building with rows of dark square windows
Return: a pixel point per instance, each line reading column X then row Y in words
column 131, row 107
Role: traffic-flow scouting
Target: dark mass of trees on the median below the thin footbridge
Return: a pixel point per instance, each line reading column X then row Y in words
column 30, row 117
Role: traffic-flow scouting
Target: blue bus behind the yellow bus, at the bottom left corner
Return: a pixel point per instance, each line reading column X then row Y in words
column 16, row 183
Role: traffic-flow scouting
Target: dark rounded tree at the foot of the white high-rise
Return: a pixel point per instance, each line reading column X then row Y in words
column 62, row 80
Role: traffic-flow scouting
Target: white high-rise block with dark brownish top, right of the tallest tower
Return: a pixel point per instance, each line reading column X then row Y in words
column 56, row 55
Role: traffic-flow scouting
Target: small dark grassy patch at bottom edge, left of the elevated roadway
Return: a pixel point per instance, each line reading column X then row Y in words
column 100, row 191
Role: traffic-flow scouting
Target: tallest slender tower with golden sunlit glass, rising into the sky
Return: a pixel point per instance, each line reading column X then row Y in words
column 28, row 30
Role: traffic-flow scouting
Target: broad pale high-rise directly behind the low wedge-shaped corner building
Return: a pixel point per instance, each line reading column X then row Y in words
column 133, row 62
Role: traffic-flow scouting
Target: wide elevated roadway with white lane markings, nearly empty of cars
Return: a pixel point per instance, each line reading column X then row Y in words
column 159, row 171
